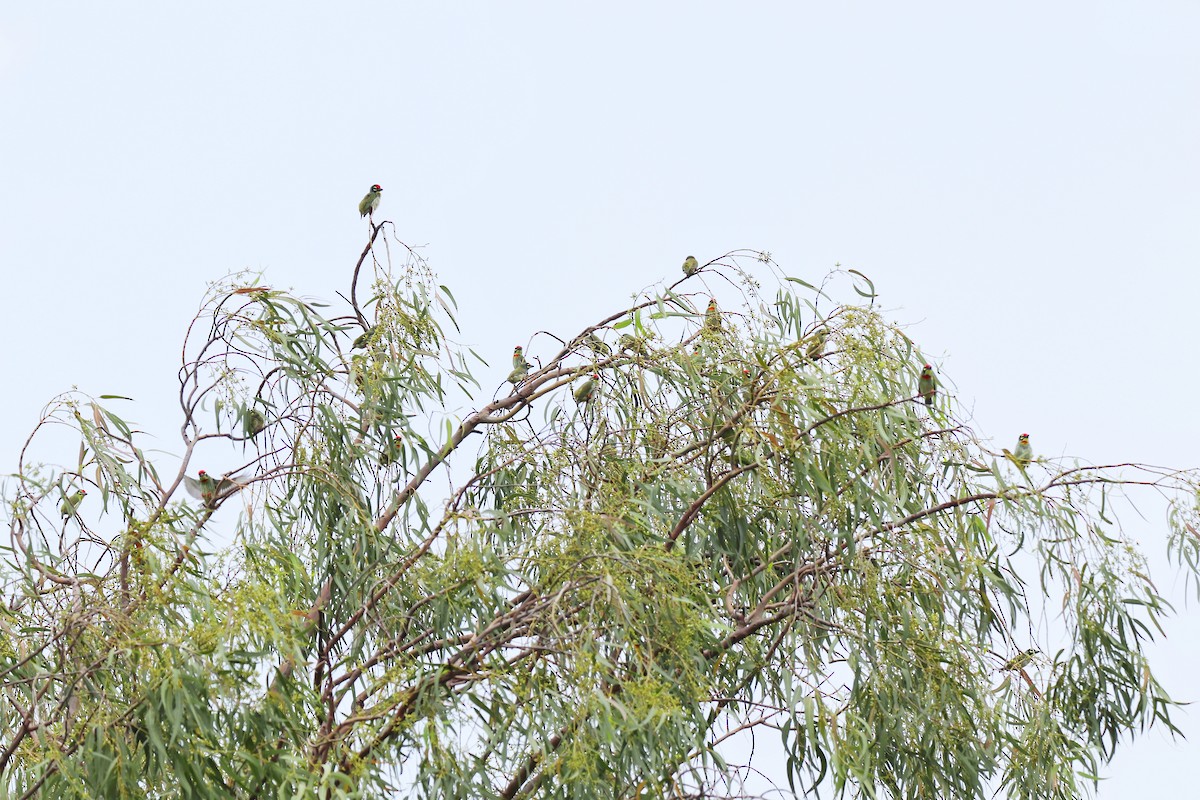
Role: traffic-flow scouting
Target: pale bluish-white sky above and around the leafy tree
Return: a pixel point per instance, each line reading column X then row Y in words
column 1023, row 185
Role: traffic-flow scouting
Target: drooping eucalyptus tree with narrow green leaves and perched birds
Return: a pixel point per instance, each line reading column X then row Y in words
column 752, row 524
